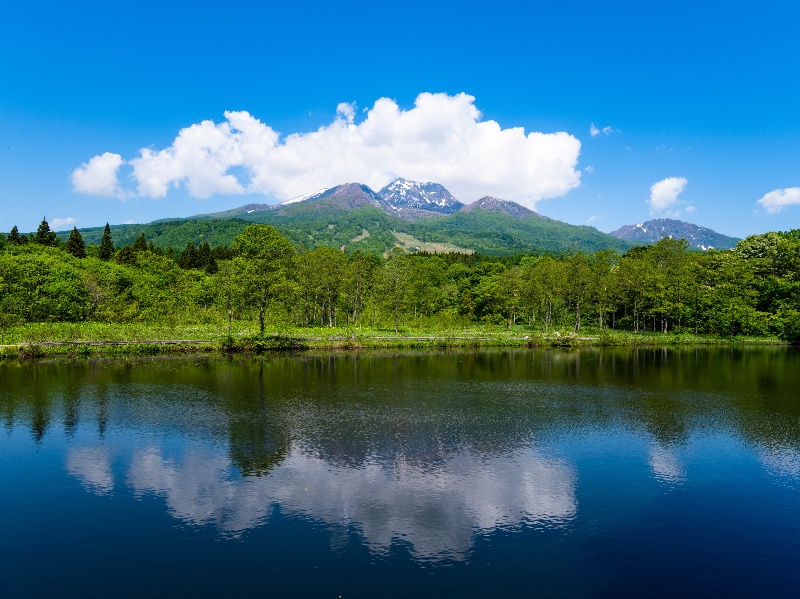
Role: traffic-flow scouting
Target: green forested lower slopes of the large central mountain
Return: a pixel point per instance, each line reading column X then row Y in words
column 368, row 229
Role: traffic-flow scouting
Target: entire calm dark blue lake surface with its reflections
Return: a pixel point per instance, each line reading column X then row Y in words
column 487, row 474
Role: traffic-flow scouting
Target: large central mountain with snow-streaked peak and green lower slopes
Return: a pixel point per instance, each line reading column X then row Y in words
column 353, row 217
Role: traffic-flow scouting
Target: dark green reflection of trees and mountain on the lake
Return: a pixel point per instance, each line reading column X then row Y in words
column 423, row 406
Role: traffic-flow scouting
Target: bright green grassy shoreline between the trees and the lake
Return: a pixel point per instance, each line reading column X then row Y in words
column 87, row 340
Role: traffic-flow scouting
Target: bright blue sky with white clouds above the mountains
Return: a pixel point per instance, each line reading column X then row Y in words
column 695, row 107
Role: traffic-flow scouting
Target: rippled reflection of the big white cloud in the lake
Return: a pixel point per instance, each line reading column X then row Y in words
column 435, row 511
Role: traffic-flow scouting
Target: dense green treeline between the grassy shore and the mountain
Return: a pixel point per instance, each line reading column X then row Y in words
column 751, row 290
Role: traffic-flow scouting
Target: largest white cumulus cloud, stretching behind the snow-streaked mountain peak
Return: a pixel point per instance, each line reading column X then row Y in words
column 442, row 139
